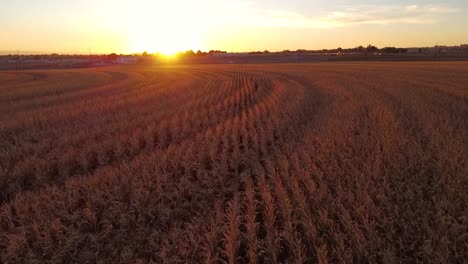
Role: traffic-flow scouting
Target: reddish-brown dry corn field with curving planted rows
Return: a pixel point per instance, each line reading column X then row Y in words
column 273, row 163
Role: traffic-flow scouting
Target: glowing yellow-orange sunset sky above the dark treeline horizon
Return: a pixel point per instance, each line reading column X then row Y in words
column 104, row 26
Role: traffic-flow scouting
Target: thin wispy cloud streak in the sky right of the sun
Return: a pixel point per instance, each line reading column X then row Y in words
column 342, row 17
